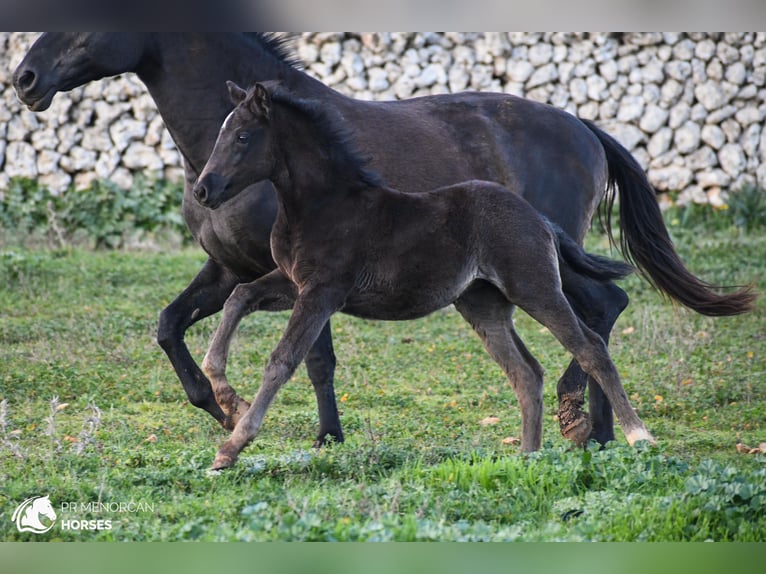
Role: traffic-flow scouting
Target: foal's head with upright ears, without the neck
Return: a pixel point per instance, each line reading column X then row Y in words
column 242, row 154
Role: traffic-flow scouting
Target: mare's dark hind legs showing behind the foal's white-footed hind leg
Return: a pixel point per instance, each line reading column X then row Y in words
column 597, row 304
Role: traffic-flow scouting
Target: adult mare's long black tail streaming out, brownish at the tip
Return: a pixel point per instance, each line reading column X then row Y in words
column 645, row 241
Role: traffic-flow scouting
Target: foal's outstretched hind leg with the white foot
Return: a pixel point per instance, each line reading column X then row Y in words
column 551, row 308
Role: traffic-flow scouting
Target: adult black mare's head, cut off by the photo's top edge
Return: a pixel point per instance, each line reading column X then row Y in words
column 61, row 61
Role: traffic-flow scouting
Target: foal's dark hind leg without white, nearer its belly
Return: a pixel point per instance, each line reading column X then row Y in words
column 491, row 316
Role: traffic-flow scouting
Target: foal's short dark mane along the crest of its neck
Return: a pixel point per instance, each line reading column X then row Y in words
column 331, row 134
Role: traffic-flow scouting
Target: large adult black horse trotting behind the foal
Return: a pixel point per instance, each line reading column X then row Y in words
column 561, row 165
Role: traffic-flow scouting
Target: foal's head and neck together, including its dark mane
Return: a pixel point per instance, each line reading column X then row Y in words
column 272, row 130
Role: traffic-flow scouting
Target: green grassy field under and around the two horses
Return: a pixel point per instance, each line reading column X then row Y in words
column 92, row 412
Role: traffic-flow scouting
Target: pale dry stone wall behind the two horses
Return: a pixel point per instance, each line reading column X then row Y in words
column 690, row 107
